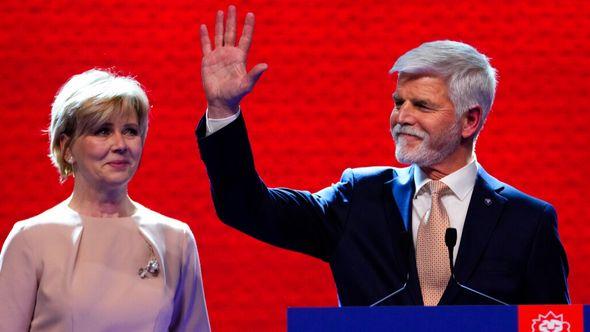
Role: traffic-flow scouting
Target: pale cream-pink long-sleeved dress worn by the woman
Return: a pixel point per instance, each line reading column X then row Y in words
column 60, row 271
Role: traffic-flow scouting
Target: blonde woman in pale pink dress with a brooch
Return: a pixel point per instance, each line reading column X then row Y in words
column 100, row 261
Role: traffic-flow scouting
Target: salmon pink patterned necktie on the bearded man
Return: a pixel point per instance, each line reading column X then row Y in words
column 432, row 257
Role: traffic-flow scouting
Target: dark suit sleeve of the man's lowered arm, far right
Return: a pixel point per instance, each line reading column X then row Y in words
column 547, row 269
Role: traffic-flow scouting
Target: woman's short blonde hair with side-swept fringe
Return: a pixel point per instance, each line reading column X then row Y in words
column 85, row 102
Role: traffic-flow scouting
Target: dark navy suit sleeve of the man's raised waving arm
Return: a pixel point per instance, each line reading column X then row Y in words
column 291, row 219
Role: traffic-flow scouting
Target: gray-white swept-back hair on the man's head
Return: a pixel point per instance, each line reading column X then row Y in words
column 470, row 77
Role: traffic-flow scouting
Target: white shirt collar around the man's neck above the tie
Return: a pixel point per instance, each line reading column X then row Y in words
column 461, row 181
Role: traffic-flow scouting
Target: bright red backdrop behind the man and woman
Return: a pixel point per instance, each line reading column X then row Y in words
column 322, row 106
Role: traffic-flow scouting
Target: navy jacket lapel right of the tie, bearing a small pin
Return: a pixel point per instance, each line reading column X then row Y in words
column 483, row 214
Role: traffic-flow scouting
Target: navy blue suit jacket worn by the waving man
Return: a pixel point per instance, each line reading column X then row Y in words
column 510, row 248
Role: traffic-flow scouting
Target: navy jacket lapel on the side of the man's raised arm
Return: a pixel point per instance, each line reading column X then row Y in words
column 400, row 190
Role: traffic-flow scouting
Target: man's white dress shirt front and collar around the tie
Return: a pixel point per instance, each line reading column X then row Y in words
column 461, row 183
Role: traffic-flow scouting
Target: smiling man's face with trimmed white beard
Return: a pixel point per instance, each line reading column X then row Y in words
column 423, row 122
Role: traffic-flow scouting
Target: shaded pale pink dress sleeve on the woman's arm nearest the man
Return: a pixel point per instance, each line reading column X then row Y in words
column 190, row 310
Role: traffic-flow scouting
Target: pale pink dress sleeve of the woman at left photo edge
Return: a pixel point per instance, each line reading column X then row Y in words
column 18, row 282
